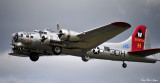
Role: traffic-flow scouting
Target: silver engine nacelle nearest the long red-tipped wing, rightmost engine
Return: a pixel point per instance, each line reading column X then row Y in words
column 67, row 35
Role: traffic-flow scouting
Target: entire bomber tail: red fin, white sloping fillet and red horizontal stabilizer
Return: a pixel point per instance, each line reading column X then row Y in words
column 138, row 43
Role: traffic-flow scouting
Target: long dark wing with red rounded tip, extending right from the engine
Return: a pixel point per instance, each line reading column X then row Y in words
column 92, row 38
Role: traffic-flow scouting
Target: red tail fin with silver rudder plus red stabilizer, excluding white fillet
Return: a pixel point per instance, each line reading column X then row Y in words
column 140, row 43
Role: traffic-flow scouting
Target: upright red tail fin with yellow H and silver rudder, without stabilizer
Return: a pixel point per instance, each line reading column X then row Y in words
column 140, row 39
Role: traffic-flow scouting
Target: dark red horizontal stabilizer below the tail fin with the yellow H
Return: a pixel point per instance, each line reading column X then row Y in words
column 145, row 52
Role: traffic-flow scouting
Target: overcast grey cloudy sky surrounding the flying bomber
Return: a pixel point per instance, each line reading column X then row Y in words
column 76, row 15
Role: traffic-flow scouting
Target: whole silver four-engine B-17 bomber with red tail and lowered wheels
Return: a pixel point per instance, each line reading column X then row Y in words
column 87, row 45
